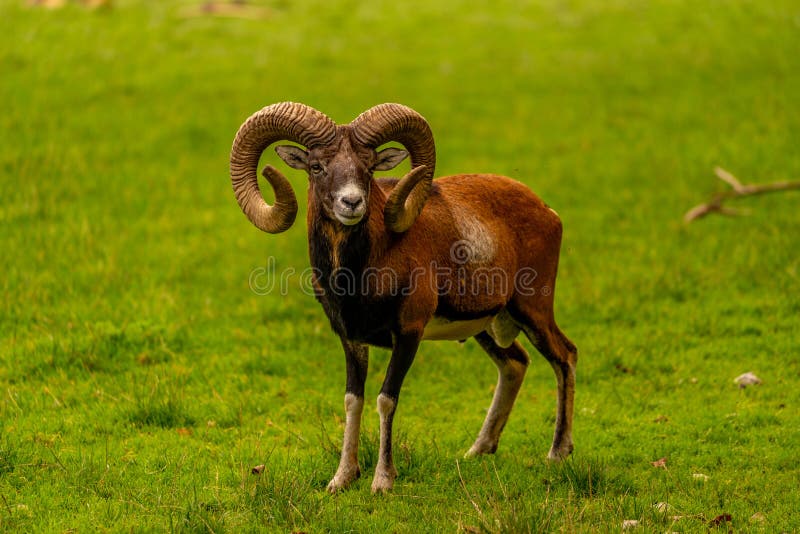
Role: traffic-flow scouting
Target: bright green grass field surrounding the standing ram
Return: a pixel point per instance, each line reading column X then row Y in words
column 141, row 379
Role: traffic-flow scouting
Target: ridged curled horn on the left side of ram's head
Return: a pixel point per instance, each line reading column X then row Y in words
column 290, row 121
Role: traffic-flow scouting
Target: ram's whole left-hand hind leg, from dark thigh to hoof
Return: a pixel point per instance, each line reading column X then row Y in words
column 511, row 362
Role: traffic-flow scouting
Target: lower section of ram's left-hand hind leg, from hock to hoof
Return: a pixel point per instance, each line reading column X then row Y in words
column 510, row 376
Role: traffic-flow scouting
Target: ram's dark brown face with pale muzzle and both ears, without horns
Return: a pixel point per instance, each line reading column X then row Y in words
column 341, row 174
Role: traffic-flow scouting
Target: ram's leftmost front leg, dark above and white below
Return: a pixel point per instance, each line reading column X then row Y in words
column 357, row 358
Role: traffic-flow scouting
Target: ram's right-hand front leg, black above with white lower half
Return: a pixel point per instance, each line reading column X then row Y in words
column 405, row 348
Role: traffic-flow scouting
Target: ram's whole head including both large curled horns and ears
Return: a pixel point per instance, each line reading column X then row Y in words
column 339, row 160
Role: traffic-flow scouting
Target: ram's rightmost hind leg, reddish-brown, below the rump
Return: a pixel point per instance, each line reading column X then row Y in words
column 562, row 355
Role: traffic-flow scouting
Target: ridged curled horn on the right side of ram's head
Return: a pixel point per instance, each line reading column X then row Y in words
column 395, row 122
